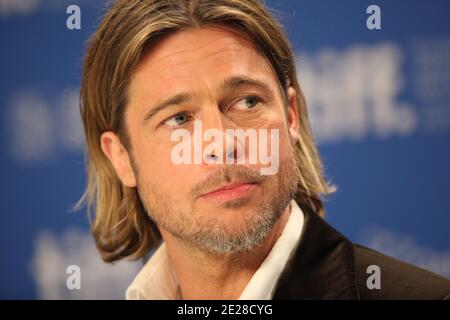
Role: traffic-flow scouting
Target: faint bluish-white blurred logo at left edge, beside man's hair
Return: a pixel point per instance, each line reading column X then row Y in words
column 40, row 127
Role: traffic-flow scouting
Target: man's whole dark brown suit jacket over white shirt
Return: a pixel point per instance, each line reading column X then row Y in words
column 326, row 265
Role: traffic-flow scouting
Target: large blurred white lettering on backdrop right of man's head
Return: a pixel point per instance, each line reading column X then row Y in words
column 354, row 93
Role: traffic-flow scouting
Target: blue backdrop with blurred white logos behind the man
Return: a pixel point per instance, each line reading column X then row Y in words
column 380, row 109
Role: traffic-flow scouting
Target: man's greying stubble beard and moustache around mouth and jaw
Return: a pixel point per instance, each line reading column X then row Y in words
column 206, row 232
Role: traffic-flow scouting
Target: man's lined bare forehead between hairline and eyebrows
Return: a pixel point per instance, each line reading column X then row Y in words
column 195, row 59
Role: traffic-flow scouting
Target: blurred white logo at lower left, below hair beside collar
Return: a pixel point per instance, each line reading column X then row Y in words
column 55, row 254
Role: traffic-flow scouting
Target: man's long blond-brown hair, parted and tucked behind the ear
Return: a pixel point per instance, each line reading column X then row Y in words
column 121, row 226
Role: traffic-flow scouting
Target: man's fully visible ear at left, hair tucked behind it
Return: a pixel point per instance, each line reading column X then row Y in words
column 118, row 155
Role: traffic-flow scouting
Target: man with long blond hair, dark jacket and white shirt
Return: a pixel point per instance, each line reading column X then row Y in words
column 162, row 78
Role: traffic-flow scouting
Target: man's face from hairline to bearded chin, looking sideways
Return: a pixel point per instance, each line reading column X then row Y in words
column 204, row 69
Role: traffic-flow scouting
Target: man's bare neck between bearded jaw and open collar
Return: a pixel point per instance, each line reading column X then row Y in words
column 203, row 275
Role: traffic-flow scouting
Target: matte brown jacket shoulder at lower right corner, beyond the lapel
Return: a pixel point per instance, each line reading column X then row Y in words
column 397, row 280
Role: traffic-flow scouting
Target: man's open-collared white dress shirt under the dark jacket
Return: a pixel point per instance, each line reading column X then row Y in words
column 157, row 279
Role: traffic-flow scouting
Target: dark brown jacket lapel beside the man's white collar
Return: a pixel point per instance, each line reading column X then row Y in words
column 322, row 266
